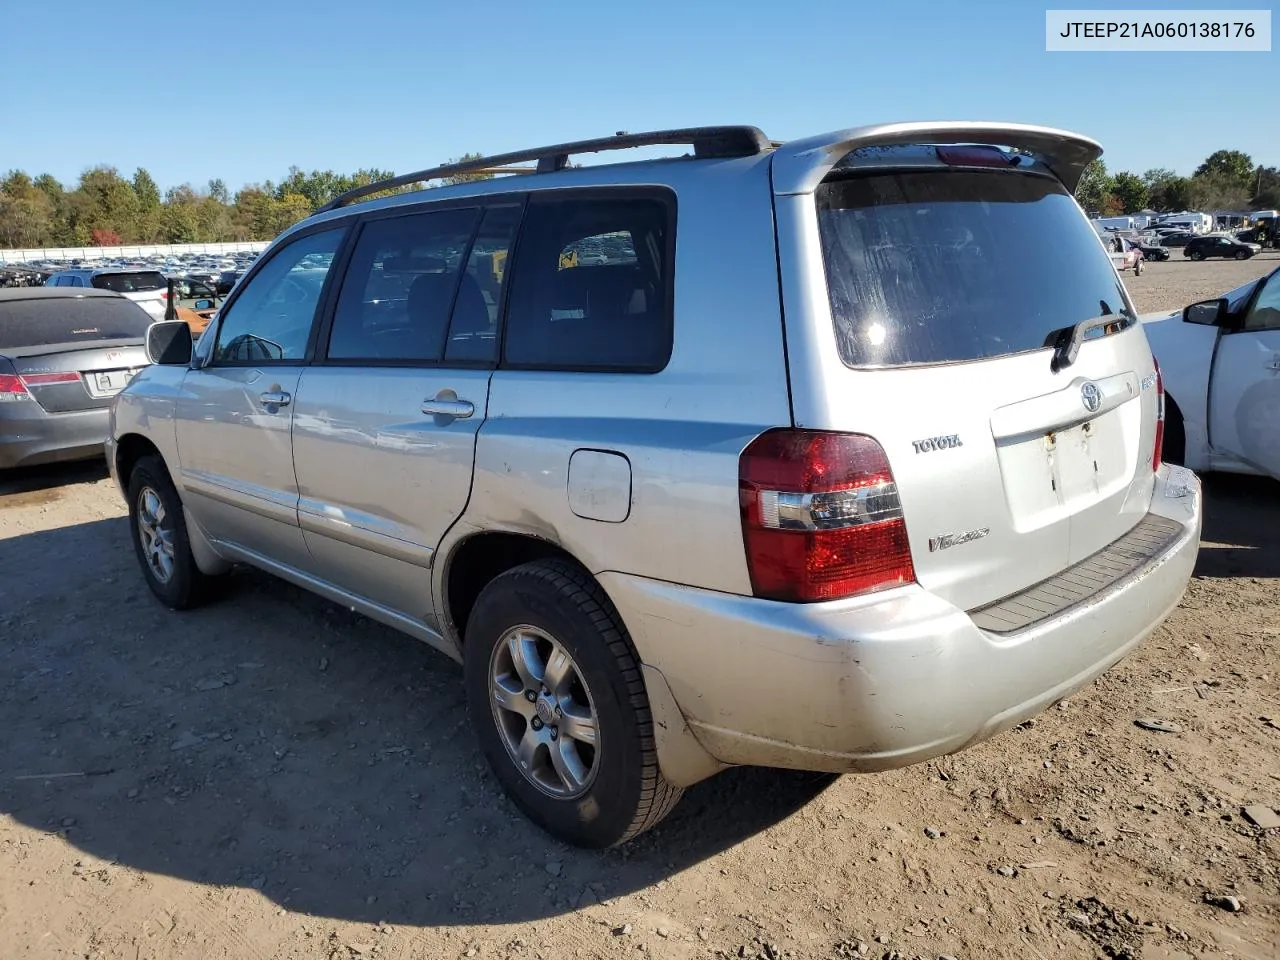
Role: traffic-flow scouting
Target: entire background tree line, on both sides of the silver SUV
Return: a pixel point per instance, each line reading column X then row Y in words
column 107, row 209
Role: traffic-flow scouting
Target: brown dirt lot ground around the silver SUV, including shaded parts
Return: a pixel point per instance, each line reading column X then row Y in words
column 277, row 778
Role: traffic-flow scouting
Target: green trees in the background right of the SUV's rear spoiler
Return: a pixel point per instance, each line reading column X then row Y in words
column 1228, row 180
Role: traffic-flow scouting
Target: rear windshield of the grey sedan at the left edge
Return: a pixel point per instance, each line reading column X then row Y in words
column 36, row 323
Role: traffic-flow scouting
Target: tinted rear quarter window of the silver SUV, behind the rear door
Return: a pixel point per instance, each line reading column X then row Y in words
column 592, row 285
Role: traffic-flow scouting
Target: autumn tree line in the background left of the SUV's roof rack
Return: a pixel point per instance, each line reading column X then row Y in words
column 107, row 209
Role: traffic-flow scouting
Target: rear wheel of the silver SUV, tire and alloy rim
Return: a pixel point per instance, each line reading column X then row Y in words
column 559, row 703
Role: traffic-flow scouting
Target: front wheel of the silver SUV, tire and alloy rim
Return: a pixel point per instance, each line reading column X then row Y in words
column 159, row 532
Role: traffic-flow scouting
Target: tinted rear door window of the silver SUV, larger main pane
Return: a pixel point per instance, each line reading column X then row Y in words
column 400, row 287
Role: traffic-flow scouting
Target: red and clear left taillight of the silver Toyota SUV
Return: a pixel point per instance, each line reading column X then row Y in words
column 821, row 516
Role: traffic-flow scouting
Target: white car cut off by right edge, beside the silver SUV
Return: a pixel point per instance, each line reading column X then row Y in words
column 1220, row 362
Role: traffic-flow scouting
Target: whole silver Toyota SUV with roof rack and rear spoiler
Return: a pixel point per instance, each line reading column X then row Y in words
column 836, row 455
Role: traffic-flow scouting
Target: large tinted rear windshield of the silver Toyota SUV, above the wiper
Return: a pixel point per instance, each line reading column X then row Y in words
column 949, row 266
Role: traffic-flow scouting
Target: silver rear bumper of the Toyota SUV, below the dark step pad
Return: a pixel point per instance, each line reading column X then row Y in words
column 894, row 679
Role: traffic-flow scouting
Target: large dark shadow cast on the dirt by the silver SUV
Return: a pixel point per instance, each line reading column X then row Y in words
column 278, row 742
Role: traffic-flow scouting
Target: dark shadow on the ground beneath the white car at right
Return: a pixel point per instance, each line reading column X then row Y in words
column 1242, row 528
